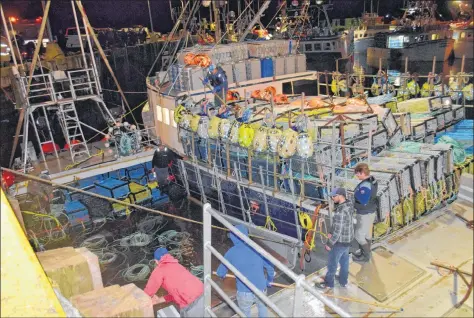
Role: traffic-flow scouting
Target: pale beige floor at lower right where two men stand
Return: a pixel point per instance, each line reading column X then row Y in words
column 400, row 273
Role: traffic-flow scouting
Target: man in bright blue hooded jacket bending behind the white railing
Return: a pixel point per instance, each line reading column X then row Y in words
column 251, row 265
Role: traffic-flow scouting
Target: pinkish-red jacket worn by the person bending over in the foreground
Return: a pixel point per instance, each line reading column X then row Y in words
column 183, row 287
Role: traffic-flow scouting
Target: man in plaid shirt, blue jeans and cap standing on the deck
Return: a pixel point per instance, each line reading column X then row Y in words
column 340, row 238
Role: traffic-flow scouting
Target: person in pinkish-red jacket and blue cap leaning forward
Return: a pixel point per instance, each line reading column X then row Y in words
column 184, row 289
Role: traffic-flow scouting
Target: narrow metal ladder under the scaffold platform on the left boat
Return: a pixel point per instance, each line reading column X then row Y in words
column 72, row 130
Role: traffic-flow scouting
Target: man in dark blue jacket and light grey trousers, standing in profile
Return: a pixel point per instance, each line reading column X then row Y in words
column 366, row 202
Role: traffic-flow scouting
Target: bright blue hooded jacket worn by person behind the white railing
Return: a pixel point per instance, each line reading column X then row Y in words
column 248, row 262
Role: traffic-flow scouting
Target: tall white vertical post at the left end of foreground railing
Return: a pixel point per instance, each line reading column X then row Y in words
column 207, row 223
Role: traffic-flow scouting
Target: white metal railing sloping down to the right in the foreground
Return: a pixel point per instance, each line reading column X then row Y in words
column 300, row 283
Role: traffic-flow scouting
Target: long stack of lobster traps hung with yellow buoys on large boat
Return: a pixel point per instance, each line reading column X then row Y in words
column 301, row 163
